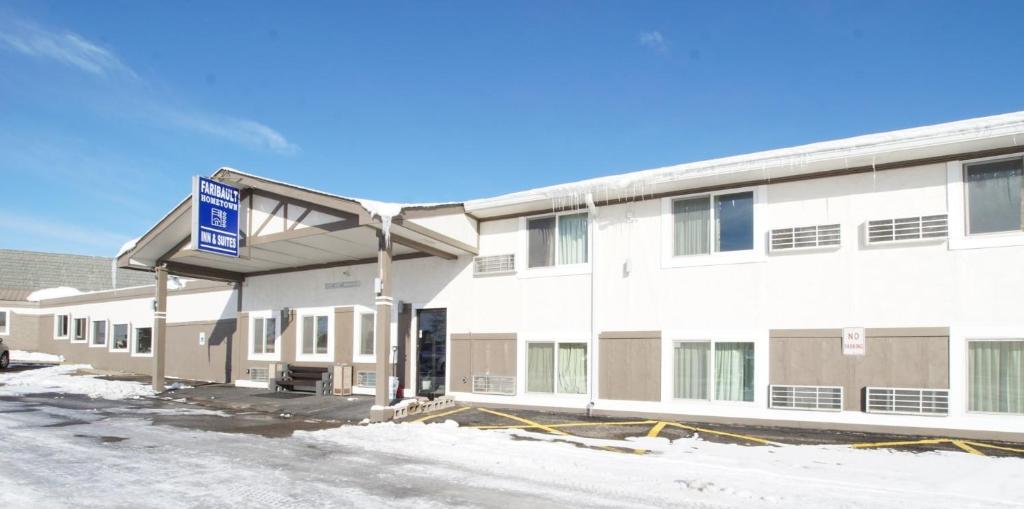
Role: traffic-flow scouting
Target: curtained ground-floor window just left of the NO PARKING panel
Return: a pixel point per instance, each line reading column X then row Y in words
column 729, row 374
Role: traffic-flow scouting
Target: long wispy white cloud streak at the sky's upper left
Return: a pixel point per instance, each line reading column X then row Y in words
column 75, row 51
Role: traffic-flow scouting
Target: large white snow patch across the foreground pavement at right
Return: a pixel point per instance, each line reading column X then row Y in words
column 693, row 473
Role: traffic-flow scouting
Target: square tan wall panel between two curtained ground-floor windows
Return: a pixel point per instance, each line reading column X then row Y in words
column 630, row 368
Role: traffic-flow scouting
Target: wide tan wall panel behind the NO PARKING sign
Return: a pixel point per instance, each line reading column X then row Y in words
column 893, row 362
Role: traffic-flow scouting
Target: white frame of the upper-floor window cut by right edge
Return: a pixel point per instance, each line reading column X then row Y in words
column 957, row 200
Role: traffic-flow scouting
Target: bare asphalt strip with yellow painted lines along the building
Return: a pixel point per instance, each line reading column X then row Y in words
column 569, row 425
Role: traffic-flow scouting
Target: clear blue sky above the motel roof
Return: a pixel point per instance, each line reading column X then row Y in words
column 107, row 109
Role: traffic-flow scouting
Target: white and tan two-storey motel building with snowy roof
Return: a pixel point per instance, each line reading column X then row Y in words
column 871, row 283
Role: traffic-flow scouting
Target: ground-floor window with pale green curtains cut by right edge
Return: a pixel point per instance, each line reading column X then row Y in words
column 997, row 376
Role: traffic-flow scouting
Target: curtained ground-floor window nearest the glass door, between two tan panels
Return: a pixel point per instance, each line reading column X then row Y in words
column 558, row 368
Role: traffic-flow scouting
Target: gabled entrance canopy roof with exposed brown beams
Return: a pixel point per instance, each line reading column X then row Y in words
column 284, row 228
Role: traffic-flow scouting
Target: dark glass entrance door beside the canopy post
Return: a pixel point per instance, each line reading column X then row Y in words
column 432, row 350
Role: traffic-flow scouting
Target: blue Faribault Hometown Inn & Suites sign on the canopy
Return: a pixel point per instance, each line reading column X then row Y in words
column 216, row 218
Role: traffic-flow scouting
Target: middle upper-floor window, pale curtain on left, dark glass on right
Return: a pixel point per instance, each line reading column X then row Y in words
column 714, row 224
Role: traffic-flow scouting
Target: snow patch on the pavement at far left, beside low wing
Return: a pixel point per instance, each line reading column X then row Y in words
column 63, row 380
